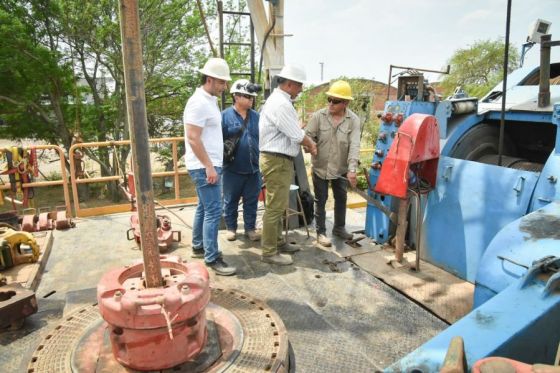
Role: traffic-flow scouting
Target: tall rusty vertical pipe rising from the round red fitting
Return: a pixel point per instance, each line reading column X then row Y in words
column 137, row 119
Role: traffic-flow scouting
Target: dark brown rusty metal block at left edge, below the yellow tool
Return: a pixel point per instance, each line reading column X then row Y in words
column 16, row 303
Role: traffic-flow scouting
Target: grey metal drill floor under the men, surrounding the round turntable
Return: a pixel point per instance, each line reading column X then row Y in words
column 338, row 316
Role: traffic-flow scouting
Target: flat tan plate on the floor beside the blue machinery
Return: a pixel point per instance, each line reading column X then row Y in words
column 445, row 295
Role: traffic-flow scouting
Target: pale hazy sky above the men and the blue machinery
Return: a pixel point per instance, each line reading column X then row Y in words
column 361, row 38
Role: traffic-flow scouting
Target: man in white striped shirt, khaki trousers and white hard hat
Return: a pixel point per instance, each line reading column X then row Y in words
column 280, row 137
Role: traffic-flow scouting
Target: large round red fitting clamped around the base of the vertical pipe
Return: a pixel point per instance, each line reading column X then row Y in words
column 155, row 328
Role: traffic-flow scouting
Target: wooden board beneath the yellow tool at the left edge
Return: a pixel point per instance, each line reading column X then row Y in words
column 29, row 275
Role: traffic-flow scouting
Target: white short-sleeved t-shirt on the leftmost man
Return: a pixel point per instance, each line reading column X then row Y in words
column 202, row 111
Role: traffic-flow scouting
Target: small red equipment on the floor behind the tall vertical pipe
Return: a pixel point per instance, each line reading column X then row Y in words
column 165, row 235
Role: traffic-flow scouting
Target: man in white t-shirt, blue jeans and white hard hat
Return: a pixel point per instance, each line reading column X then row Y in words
column 204, row 155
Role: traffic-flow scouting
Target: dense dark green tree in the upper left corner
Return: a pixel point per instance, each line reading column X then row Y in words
column 35, row 83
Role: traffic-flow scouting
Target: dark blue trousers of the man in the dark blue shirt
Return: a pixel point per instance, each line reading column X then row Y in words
column 236, row 186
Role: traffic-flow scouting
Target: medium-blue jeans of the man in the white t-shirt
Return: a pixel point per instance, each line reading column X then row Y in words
column 208, row 214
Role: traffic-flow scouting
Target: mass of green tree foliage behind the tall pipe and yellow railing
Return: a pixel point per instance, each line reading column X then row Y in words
column 61, row 67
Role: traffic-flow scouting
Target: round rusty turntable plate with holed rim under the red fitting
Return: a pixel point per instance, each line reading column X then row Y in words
column 252, row 338
